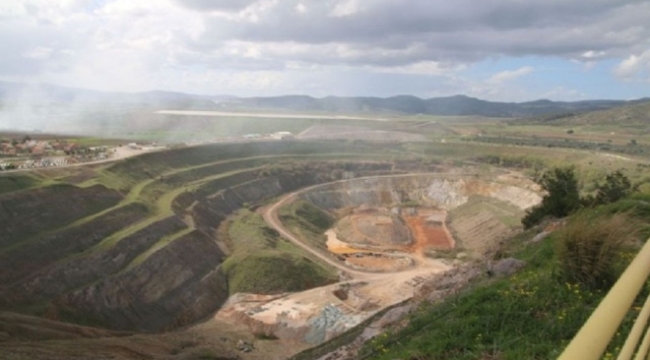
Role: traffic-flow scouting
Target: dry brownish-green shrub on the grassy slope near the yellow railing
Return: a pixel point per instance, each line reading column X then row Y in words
column 589, row 246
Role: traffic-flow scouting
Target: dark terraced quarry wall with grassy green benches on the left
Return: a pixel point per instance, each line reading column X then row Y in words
column 145, row 255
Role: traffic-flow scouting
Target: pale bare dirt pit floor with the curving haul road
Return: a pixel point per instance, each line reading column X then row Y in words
column 369, row 281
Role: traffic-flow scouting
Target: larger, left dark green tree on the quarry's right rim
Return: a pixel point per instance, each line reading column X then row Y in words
column 562, row 197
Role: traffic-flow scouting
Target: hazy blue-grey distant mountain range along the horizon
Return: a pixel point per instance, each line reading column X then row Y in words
column 458, row 105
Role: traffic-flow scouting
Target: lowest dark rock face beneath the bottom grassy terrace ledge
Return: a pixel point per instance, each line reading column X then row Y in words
column 174, row 286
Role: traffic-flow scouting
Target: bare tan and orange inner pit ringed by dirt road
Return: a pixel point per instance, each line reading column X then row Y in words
column 392, row 233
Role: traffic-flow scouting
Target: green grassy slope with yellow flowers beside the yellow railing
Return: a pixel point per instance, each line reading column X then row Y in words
column 531, row 315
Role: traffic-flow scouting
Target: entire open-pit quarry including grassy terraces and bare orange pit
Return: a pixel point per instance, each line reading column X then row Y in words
column 170, row 254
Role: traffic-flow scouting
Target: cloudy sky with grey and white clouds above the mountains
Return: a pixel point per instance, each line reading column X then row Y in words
column 507, row 50
